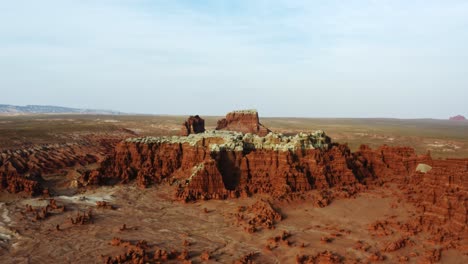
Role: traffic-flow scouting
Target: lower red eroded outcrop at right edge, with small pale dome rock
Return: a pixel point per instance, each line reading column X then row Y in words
column 437, row 187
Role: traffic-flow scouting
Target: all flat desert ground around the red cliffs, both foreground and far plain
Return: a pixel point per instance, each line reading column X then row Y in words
column 359, row 228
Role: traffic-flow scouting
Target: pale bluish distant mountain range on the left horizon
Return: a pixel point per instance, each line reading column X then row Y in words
column 48, row 109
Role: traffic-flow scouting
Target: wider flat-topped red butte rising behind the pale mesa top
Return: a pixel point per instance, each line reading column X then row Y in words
column 245, row 121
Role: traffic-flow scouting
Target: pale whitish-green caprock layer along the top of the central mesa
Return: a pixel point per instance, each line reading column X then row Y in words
column 236, row 141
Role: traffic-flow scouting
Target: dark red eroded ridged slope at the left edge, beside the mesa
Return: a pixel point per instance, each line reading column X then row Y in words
column 21, row 169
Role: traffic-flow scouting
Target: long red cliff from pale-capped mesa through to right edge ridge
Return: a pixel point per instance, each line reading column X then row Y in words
column 227, row 164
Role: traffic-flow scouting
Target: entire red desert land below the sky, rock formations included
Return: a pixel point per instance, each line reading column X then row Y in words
column 129, row 189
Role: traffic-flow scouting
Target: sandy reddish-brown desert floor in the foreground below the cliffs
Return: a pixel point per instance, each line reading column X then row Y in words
column 152, row 215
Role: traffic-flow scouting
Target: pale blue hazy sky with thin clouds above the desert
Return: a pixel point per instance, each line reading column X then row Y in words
column 320, row 58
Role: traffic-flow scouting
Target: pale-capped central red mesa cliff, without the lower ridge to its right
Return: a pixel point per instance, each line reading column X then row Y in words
column 228, row 164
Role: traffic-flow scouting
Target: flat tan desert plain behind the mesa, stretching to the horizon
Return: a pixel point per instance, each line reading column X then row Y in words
column 442, row 137
